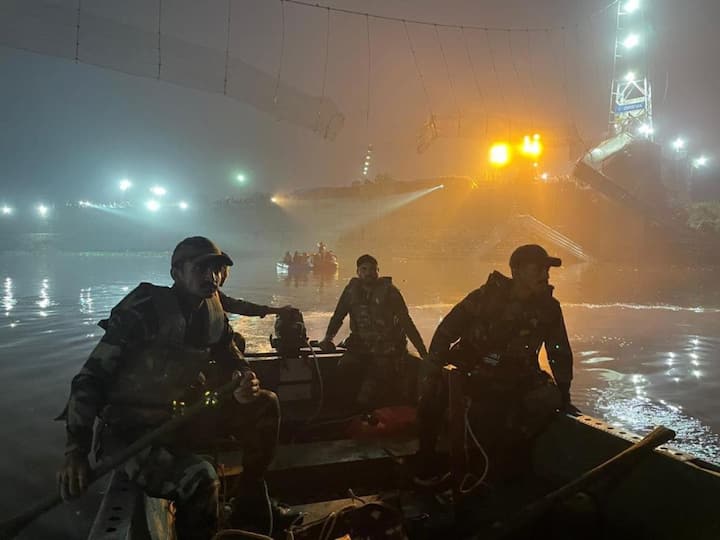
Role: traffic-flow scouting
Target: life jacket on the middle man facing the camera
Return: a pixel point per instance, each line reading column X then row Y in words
column 374, row 327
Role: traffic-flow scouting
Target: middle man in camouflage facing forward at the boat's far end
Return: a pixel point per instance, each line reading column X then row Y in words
column 380, row 326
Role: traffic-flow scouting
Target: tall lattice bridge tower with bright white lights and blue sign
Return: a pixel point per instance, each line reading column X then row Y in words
column 630, row 94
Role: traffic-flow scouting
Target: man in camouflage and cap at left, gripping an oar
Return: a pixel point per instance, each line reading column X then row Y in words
column 161, row 347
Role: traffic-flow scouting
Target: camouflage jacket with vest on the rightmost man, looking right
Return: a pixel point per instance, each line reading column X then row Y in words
column 505, row 334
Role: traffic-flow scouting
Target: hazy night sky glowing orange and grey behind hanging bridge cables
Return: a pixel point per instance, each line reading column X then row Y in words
column 70, row 131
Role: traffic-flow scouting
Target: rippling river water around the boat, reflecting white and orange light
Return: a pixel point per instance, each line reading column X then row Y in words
column 646, row 344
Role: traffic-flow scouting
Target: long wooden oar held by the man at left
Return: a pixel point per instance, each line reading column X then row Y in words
column 10, row 528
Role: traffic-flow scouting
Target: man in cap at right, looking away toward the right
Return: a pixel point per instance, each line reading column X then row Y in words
column 495, row 335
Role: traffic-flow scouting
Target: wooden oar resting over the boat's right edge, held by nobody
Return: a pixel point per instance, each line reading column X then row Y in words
column 625, row 459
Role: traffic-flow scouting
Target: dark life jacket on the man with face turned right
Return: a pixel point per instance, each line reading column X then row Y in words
column 506, row 334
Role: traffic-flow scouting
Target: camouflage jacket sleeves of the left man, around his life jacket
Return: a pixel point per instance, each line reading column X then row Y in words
column 134, row 324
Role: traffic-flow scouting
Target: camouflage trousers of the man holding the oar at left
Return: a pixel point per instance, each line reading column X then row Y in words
column 174, row 471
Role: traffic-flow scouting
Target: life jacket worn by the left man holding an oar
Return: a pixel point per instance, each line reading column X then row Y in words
column 156, row 376
